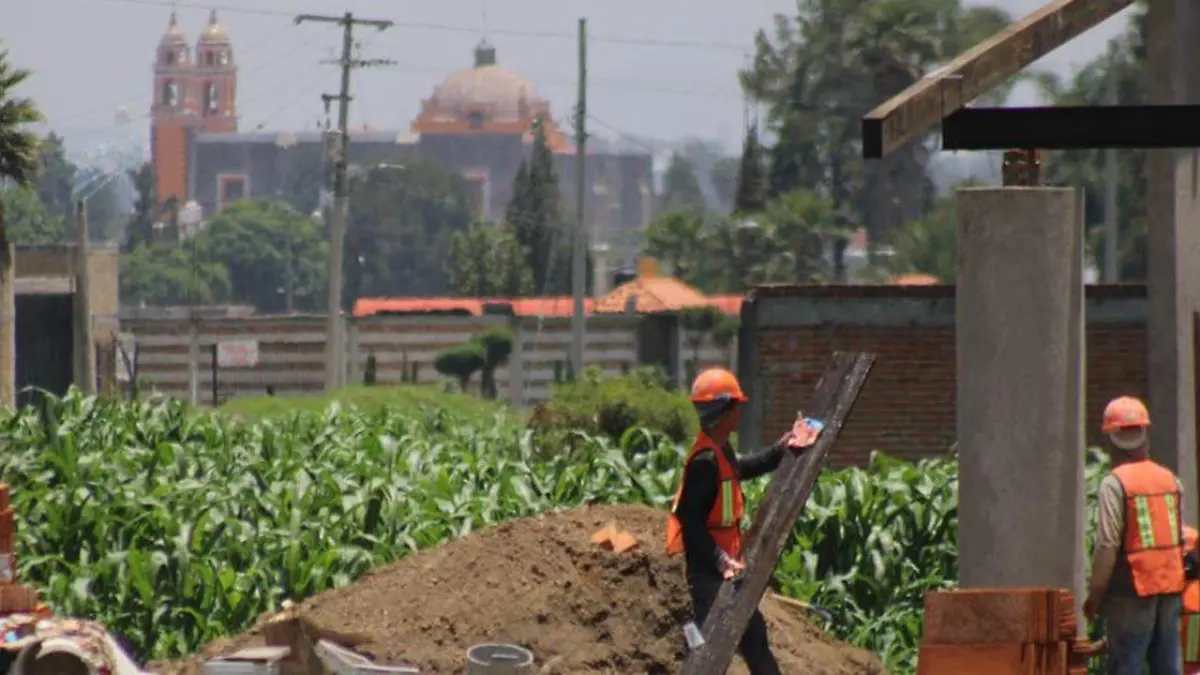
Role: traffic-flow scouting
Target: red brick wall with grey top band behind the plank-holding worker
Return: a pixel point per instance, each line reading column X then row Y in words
column 908, row 407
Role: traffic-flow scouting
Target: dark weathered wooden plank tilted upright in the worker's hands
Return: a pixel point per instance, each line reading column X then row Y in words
column 777, row 516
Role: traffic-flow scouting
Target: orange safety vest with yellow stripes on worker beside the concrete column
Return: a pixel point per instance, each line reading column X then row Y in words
column 1154, row 543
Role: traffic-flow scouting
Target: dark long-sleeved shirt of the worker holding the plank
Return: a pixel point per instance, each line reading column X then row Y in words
column 700, row 489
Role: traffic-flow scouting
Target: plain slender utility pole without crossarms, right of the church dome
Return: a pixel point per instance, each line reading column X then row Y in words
column 580, row 250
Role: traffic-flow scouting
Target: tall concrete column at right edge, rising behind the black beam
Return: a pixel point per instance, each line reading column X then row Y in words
column 1173, row 249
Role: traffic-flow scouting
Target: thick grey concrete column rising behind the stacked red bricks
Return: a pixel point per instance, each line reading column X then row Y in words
column 1021, row 354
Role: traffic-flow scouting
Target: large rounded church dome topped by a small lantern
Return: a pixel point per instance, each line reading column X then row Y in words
column 503, row 93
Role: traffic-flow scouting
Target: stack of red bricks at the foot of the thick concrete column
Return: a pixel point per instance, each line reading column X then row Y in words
column 1003, row 632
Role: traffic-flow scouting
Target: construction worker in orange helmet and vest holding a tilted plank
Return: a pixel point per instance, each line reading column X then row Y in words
column 706, row 519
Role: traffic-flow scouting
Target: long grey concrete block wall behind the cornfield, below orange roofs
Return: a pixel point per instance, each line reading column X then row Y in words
column 292, row 354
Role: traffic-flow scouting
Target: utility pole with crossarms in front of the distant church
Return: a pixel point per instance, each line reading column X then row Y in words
column 335, row 356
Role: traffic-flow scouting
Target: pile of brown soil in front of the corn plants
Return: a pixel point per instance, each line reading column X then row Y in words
column 542, row 584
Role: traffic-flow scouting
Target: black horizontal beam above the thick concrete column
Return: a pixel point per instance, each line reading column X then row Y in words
column 1072, row 128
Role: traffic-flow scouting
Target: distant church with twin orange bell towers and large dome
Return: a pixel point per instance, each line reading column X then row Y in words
column 478, row 123
